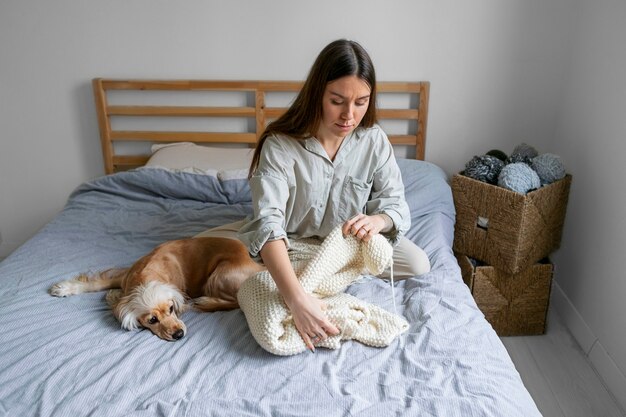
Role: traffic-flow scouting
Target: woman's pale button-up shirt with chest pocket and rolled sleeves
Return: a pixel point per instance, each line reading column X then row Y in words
column 298, row 192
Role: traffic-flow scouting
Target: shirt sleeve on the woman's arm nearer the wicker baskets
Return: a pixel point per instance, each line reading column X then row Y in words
column 388, row 194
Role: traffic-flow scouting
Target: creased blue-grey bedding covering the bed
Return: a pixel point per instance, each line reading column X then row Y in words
column 69, row 357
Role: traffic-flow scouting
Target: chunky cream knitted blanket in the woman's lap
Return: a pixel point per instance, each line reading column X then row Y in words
column 335, row 264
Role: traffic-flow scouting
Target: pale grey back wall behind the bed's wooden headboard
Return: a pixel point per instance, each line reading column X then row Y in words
column 477, row 57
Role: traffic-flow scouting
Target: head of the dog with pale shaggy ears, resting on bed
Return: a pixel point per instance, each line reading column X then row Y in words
column 155, row 306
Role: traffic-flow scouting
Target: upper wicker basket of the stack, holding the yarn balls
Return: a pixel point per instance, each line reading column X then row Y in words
column 508, row 230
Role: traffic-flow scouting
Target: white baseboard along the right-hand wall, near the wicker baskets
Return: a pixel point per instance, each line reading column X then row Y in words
column 612, row 377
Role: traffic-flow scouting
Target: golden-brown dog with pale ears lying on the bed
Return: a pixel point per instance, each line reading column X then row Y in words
column 152, row 293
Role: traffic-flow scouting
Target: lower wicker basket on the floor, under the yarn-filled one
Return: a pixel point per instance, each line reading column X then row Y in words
column 515, row 304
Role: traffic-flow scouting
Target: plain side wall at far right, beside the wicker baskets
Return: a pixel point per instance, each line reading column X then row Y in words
column 591, row 137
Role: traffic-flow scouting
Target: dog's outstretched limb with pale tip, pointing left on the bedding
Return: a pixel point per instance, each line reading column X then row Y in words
column 100, row 281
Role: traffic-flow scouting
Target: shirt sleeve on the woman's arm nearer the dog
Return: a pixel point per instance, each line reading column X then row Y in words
column 270, row 191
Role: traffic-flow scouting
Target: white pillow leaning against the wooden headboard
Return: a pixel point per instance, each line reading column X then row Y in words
column 227, row 163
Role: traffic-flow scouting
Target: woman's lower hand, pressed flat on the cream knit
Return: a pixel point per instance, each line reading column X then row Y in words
column 309, row 318
